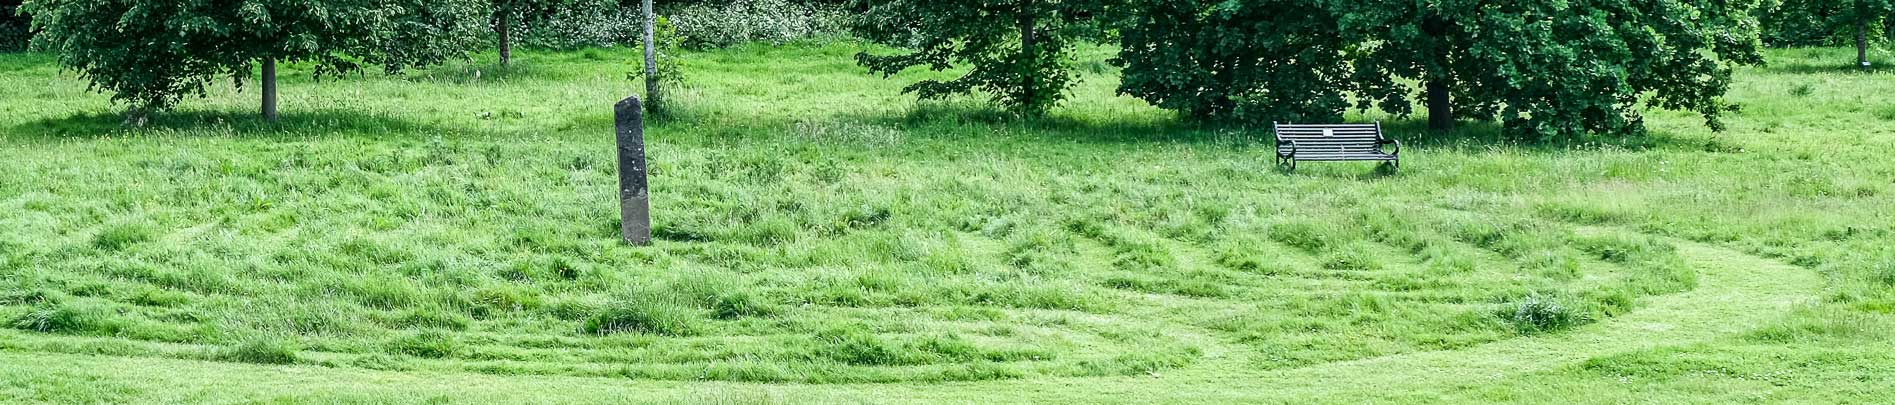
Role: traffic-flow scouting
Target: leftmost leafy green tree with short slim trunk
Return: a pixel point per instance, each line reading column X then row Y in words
column 151, row 54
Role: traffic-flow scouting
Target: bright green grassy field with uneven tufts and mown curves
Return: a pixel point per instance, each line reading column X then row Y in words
column 821, row 238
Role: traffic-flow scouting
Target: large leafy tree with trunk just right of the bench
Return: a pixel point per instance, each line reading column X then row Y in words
column 1549, row 69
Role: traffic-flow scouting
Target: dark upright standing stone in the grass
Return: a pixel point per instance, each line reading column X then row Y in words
column 634, row 192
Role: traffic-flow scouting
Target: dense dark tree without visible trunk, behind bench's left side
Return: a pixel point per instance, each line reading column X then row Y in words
column 1254, row 62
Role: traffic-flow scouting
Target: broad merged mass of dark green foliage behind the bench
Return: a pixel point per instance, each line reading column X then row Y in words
column 1542, row 69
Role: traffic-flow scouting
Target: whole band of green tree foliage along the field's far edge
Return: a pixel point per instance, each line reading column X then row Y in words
column 1542, row 69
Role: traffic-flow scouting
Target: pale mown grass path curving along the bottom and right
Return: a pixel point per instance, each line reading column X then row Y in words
column 1735, row 294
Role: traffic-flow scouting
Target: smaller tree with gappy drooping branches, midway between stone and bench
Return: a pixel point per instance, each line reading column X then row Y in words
column 1017, row 50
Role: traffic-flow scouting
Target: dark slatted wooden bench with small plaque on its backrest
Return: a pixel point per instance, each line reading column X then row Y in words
column 1335, row 143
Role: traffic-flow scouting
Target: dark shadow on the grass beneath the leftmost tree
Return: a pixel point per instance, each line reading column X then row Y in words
column 211, row 124
